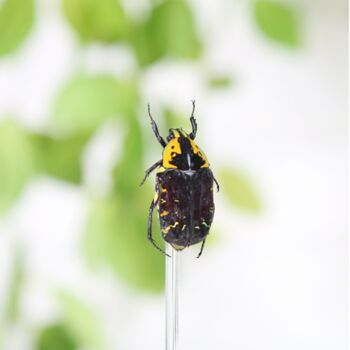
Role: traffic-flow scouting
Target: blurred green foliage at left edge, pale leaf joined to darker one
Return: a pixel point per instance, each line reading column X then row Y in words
column 24, row 154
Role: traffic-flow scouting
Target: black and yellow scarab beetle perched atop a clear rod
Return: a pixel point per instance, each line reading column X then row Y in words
column 184, row 189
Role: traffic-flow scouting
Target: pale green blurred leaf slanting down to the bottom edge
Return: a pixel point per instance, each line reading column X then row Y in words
column 82, row 322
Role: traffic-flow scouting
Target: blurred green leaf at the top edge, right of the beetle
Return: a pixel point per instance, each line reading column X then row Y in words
column 278, row 21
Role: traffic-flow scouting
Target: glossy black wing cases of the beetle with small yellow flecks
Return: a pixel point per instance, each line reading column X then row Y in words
column 186, row 205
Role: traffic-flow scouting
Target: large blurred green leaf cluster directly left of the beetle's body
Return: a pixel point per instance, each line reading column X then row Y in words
column 117, row 228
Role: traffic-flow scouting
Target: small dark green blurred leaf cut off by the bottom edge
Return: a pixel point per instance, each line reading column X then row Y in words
column 55, row 337
